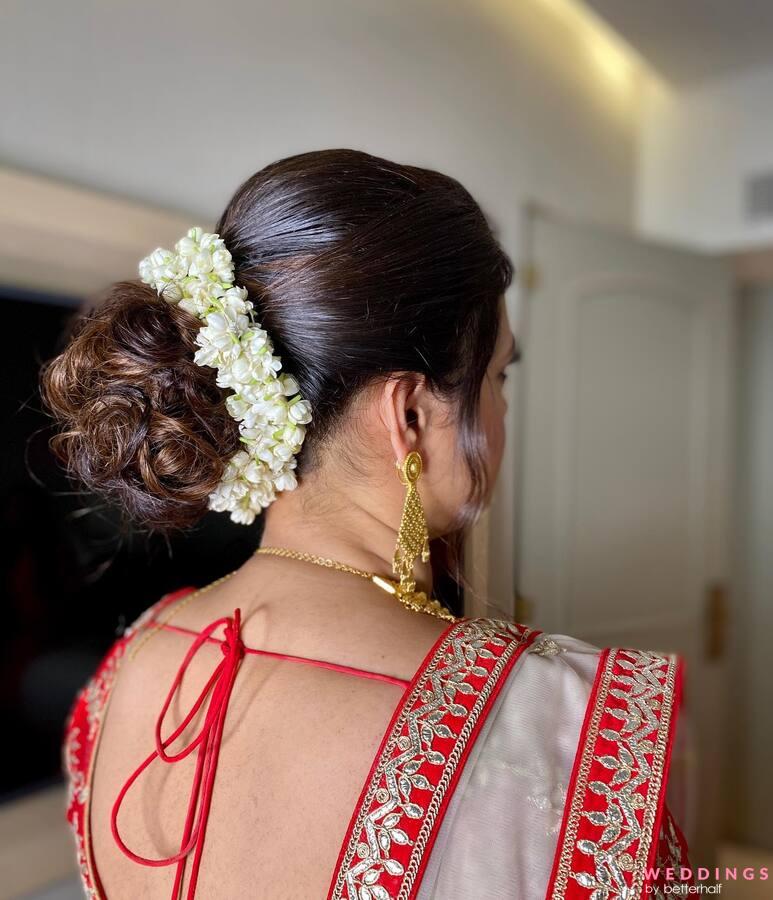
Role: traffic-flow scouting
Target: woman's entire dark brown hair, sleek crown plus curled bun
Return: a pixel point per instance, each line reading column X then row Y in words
column 358, row 267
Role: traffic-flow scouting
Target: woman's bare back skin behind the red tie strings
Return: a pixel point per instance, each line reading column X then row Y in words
column 298, row 742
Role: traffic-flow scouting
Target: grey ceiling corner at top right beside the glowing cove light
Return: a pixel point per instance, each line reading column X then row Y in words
column 690, row 41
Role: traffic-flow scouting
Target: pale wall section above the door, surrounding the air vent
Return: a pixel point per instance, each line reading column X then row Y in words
column 698, row 147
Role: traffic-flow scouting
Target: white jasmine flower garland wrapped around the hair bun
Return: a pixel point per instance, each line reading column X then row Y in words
column 272, row 415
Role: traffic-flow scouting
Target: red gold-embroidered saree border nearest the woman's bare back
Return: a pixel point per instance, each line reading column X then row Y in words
column 422, row 753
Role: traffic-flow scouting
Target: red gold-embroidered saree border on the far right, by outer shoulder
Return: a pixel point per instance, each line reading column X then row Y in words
column 614, row 808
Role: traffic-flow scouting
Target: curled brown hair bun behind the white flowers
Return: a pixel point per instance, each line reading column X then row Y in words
column 141, row 423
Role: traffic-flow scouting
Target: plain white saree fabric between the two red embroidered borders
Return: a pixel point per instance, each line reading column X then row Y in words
column 502, row 825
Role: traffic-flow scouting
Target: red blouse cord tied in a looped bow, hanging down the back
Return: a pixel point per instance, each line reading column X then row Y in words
column 206, row 743
